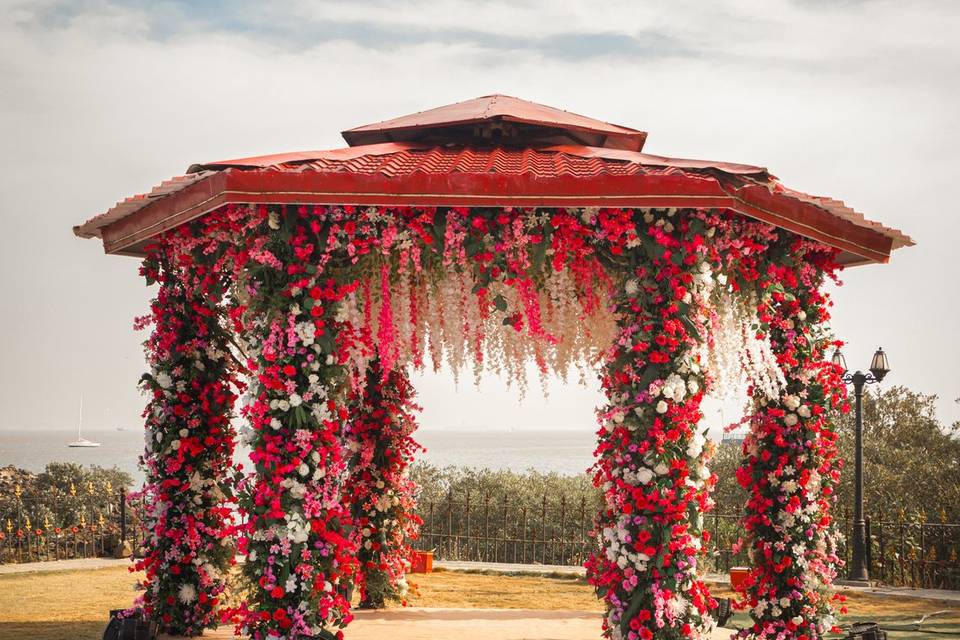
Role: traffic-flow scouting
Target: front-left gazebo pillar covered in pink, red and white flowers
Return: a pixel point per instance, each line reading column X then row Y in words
column 297, row 540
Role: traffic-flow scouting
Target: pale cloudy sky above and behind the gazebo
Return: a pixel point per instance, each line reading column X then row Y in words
column 101, row 100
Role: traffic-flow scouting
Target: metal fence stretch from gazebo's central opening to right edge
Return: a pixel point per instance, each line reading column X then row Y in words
column 555, row 531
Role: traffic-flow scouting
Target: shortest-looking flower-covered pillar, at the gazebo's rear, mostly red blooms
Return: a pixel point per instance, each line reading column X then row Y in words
column 381, row 494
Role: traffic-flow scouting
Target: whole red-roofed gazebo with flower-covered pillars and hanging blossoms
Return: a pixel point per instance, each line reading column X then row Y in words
column 491, row 232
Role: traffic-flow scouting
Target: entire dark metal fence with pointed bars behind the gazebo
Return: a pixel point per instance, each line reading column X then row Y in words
column 92, row 522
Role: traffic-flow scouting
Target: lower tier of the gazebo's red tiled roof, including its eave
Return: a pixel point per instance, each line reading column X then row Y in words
column 527, row 172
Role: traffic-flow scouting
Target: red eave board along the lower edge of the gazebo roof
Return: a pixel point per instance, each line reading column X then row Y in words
column 273, row 186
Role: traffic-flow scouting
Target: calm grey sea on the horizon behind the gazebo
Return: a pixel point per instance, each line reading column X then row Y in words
column 564, row 452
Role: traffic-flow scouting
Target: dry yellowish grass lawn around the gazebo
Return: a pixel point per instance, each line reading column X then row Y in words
column 73, row 605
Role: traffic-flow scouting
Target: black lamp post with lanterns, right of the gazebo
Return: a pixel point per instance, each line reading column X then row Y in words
column 879, row 368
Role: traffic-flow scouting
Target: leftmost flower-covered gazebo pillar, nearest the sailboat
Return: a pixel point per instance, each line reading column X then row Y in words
column 189, row 443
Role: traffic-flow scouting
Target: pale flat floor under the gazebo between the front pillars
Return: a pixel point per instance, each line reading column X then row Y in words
column 472, row 624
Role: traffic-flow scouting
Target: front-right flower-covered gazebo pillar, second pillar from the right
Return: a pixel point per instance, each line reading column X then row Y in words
column 651, row 455
